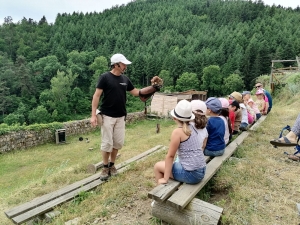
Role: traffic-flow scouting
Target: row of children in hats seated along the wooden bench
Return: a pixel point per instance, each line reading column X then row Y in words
column 203, row 129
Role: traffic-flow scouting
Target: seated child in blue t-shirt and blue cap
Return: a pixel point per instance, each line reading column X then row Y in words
column 215, row 145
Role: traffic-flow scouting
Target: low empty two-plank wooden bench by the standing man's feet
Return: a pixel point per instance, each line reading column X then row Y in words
column 45, row 203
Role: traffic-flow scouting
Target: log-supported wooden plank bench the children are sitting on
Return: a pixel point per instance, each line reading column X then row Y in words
column 175, row 202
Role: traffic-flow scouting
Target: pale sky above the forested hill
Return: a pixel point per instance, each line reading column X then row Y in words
column 36, row 9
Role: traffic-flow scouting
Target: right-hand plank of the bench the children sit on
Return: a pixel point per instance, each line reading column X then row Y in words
column 187, row 192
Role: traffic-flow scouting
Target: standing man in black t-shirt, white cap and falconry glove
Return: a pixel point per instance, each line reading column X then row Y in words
column 112, row 86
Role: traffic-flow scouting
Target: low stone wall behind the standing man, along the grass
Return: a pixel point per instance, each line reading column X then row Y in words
column 29, row 138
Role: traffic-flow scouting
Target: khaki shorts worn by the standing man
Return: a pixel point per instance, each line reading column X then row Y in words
column 112, row 133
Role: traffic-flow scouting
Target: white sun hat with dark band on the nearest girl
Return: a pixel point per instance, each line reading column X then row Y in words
column 183, row 111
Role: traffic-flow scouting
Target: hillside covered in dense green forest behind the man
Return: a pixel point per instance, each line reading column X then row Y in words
column 48, row 71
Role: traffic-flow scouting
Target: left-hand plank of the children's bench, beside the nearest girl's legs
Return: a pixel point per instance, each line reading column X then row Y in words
column 163, row 191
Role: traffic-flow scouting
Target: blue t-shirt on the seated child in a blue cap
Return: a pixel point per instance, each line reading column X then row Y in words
column 216, row 131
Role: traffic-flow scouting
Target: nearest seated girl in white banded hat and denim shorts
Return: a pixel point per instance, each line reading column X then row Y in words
column 191, row 166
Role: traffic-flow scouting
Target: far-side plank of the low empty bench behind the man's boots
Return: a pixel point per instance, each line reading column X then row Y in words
column 48, row 197
